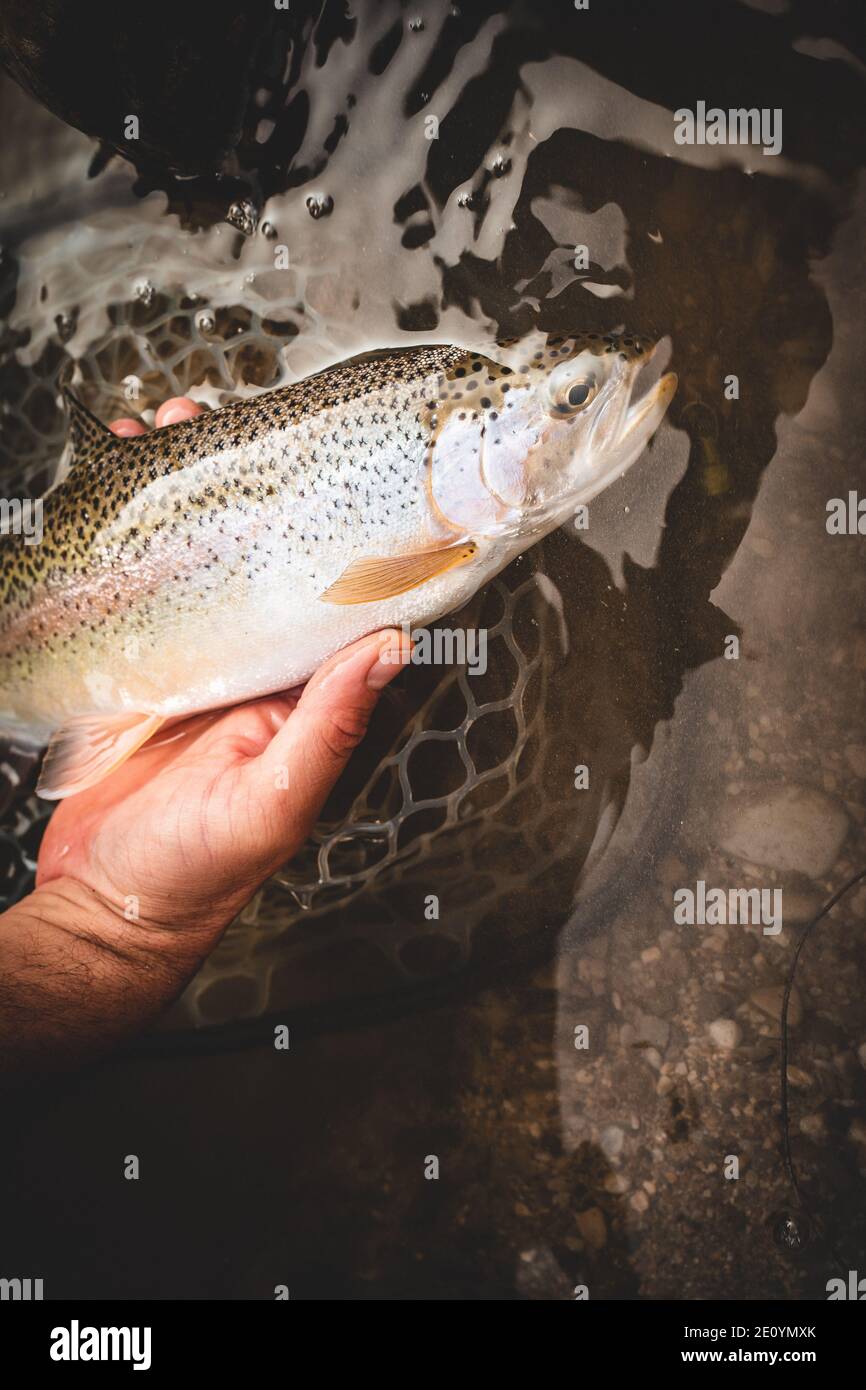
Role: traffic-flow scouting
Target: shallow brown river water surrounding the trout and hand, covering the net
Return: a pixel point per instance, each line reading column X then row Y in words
column 582, row 1063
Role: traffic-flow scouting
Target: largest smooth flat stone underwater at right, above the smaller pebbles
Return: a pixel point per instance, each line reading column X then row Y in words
column 786, row 826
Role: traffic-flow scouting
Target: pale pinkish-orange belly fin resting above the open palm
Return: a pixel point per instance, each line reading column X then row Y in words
column 87, row 750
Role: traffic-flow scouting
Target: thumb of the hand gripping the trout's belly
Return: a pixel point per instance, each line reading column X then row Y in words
column 316, row 743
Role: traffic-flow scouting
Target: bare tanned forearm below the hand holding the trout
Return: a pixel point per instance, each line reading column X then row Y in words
column 76, row 978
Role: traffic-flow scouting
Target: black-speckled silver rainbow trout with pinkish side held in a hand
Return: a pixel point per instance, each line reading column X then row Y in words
column 227, row 557
